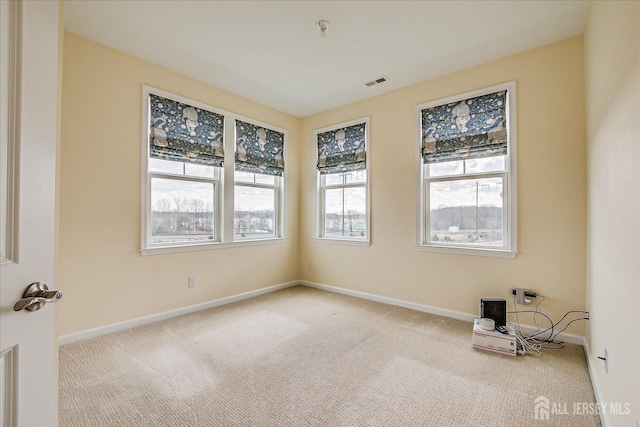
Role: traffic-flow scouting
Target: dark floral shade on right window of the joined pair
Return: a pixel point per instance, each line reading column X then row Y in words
column 259, row 149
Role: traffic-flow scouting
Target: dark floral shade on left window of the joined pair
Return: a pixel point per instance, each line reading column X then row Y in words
column 183, row 133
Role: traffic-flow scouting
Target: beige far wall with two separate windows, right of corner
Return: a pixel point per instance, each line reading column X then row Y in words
column 551, row 193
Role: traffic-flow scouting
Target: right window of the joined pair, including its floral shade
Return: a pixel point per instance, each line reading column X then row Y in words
column 259, row 167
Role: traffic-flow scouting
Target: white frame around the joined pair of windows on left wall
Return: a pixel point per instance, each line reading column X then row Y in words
column 224, row 186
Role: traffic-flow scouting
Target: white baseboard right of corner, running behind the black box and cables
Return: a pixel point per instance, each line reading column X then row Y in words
column 467, row 317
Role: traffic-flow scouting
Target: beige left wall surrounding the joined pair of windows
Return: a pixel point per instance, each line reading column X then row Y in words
column 102, row 274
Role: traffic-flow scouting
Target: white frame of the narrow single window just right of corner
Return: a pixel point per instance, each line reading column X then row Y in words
column 321, row 187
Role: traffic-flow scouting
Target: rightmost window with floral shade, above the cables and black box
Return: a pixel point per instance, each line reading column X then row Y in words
column 467, row 173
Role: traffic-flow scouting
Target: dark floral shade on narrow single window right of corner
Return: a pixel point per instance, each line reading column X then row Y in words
column 342, row 150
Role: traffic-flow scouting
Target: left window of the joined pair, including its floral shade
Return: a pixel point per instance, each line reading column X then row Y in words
column 185, row 156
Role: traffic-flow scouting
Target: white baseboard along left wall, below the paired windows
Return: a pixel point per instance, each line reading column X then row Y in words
column 128, row 324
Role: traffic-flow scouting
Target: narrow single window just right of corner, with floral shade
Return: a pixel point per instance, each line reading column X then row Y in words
column 343, row 185
